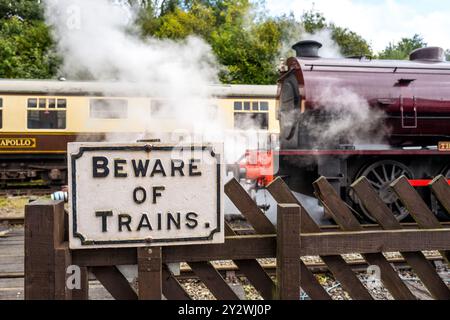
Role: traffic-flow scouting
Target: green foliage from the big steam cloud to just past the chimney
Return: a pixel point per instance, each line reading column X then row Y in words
column 246, row 41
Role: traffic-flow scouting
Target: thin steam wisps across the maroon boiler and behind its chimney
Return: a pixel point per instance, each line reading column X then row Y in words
column 350, row 117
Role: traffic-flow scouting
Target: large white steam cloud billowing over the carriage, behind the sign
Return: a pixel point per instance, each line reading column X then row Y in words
column 99, row 40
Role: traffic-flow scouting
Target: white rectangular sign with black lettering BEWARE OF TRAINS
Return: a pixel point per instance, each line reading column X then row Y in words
column 145, row 195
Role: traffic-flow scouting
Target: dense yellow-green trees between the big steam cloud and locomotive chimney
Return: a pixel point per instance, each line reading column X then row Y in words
column 245, row 42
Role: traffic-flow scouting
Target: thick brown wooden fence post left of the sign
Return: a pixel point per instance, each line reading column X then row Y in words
column 44, row 251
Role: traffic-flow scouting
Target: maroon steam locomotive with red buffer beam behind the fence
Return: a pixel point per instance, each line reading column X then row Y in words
column 352, row 117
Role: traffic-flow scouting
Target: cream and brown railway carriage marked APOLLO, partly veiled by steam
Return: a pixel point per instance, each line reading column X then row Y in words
column 39, row 118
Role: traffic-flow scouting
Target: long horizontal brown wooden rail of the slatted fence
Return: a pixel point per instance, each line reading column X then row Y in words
column 264, row 246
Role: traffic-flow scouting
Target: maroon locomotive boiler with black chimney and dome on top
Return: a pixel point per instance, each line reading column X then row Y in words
column 413, row 95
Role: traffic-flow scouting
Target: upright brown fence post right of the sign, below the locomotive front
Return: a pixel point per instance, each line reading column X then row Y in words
column 288, row 252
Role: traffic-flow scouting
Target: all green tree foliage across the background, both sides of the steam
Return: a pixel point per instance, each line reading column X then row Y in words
column 245, row 39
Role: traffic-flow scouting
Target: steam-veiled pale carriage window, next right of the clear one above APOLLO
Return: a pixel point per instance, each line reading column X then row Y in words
column 108, row 109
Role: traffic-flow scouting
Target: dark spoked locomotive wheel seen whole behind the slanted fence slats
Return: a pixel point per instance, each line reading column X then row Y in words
column 380, row 175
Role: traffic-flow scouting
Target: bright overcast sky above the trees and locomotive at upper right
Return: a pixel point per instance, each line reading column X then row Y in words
column 380, row 21
